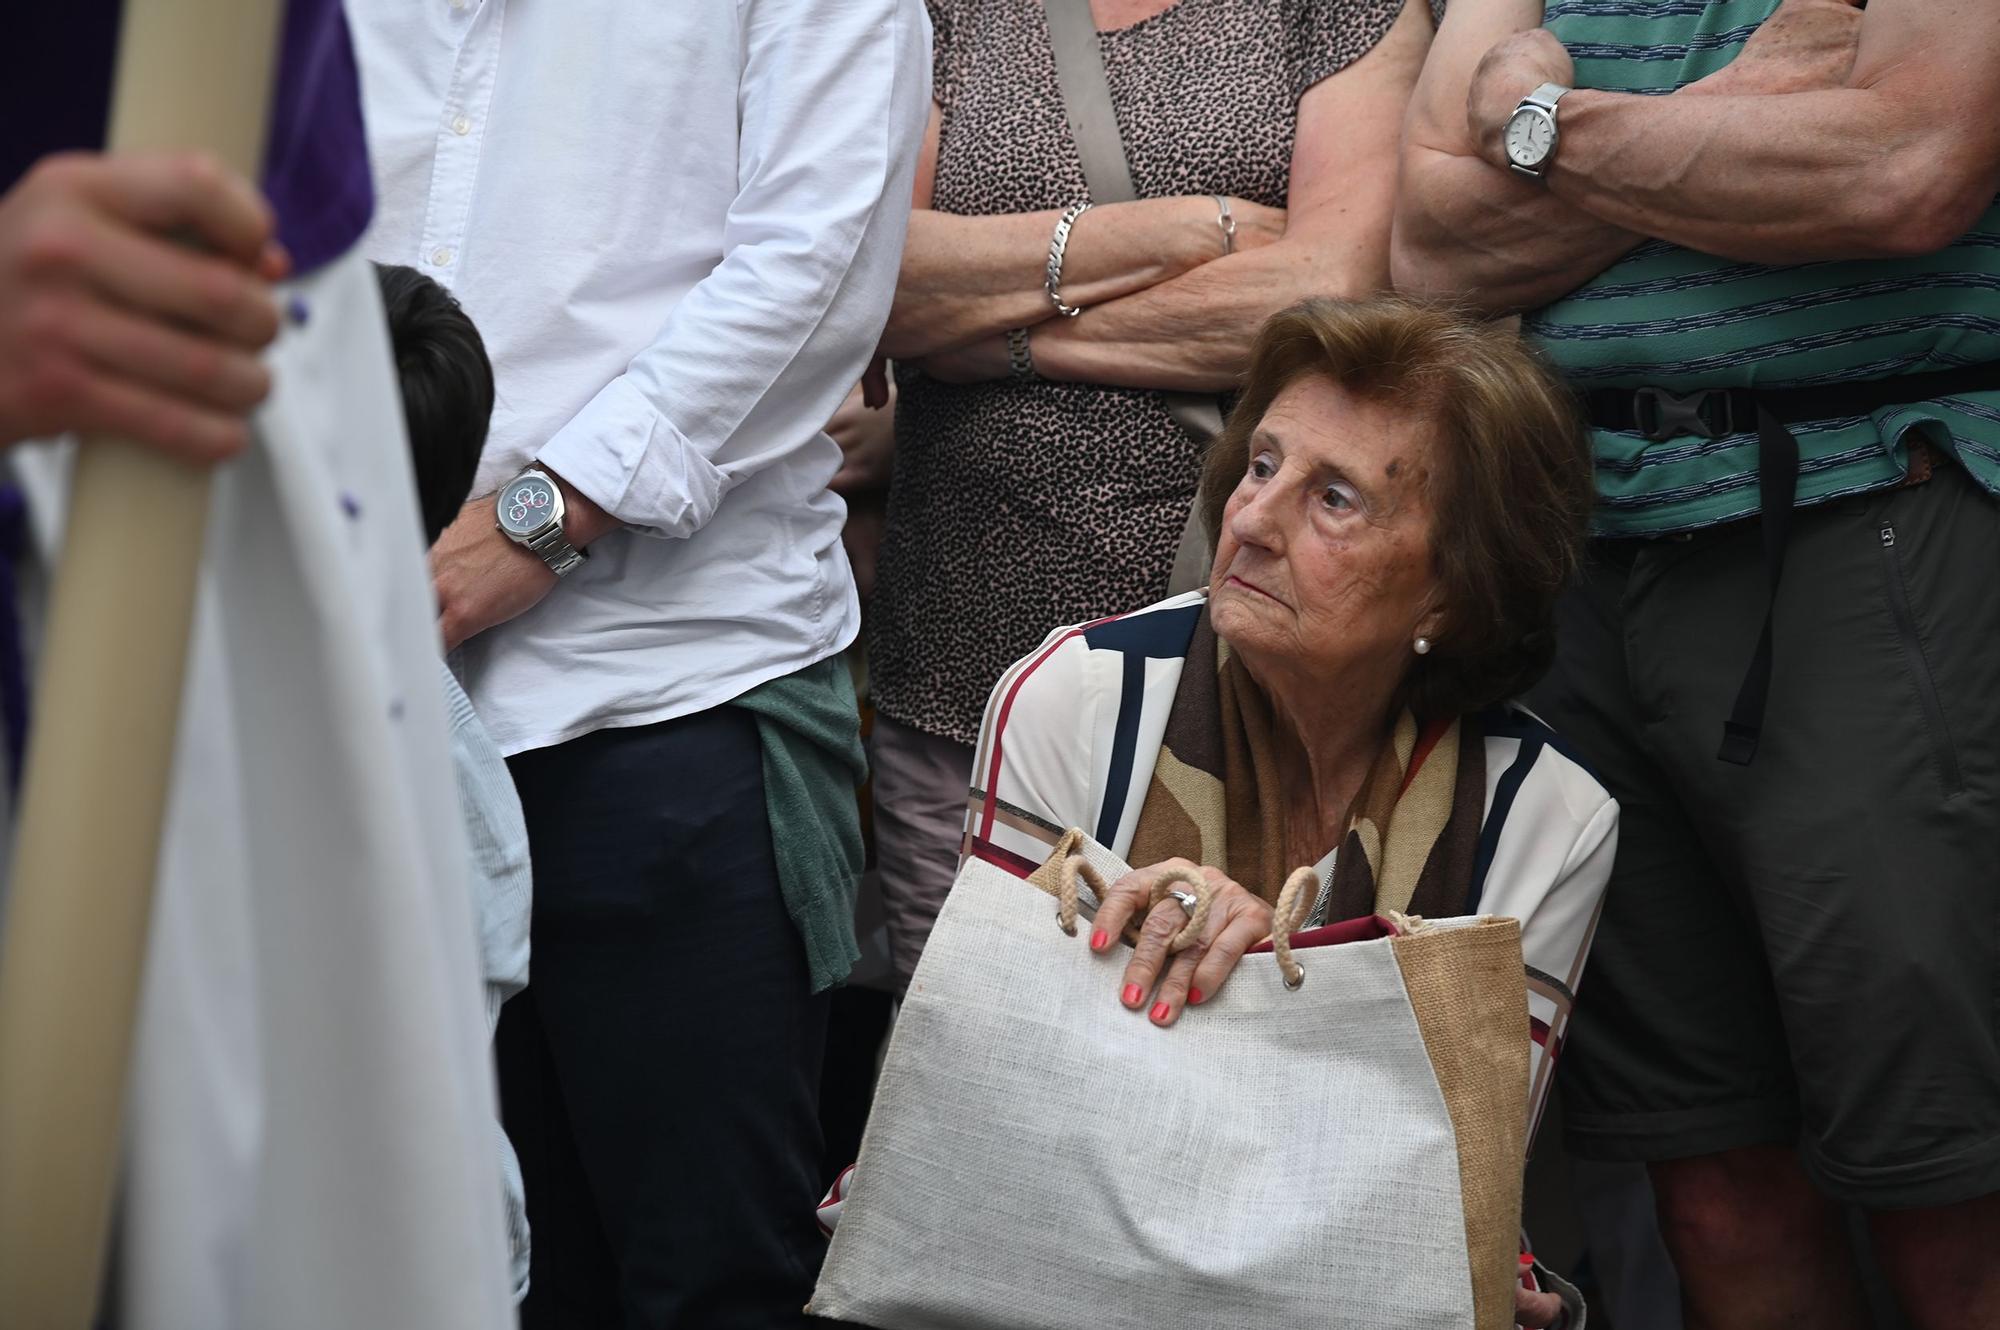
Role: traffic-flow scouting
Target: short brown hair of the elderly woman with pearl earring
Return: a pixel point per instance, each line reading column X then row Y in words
column 1511, row 489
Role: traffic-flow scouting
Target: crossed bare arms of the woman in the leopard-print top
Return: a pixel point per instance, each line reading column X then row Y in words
column 1167, row 309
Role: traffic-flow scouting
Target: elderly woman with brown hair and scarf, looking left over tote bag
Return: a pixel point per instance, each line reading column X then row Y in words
column 1395, row 505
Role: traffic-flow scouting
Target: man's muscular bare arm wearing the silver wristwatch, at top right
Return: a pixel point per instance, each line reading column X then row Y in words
column 1901, row 161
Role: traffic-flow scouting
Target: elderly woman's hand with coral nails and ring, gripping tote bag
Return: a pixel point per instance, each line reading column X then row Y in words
column 1163, row 983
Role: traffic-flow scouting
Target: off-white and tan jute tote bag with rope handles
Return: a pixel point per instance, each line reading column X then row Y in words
column 1347, row 1151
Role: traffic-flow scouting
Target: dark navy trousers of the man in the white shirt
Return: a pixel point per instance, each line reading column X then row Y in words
column 661, row 1073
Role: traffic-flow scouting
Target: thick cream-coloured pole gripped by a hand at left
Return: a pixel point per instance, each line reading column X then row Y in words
column 73, row 945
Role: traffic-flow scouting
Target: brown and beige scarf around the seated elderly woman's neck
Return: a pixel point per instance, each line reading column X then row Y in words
column 1215, row 799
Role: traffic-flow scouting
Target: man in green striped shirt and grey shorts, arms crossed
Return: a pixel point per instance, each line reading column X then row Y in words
column 1763, row 243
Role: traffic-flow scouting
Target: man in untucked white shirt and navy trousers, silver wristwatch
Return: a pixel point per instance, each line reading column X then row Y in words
column 679, row 231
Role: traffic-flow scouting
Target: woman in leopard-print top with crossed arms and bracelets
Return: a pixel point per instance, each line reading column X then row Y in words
column 1021, row 501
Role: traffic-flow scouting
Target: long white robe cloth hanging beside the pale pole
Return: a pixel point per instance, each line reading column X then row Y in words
column 311, row 1125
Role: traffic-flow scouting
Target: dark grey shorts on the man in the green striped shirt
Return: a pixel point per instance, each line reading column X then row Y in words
column 1805, row 949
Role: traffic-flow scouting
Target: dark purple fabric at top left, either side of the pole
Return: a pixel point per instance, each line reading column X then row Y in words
column 55, row 95
